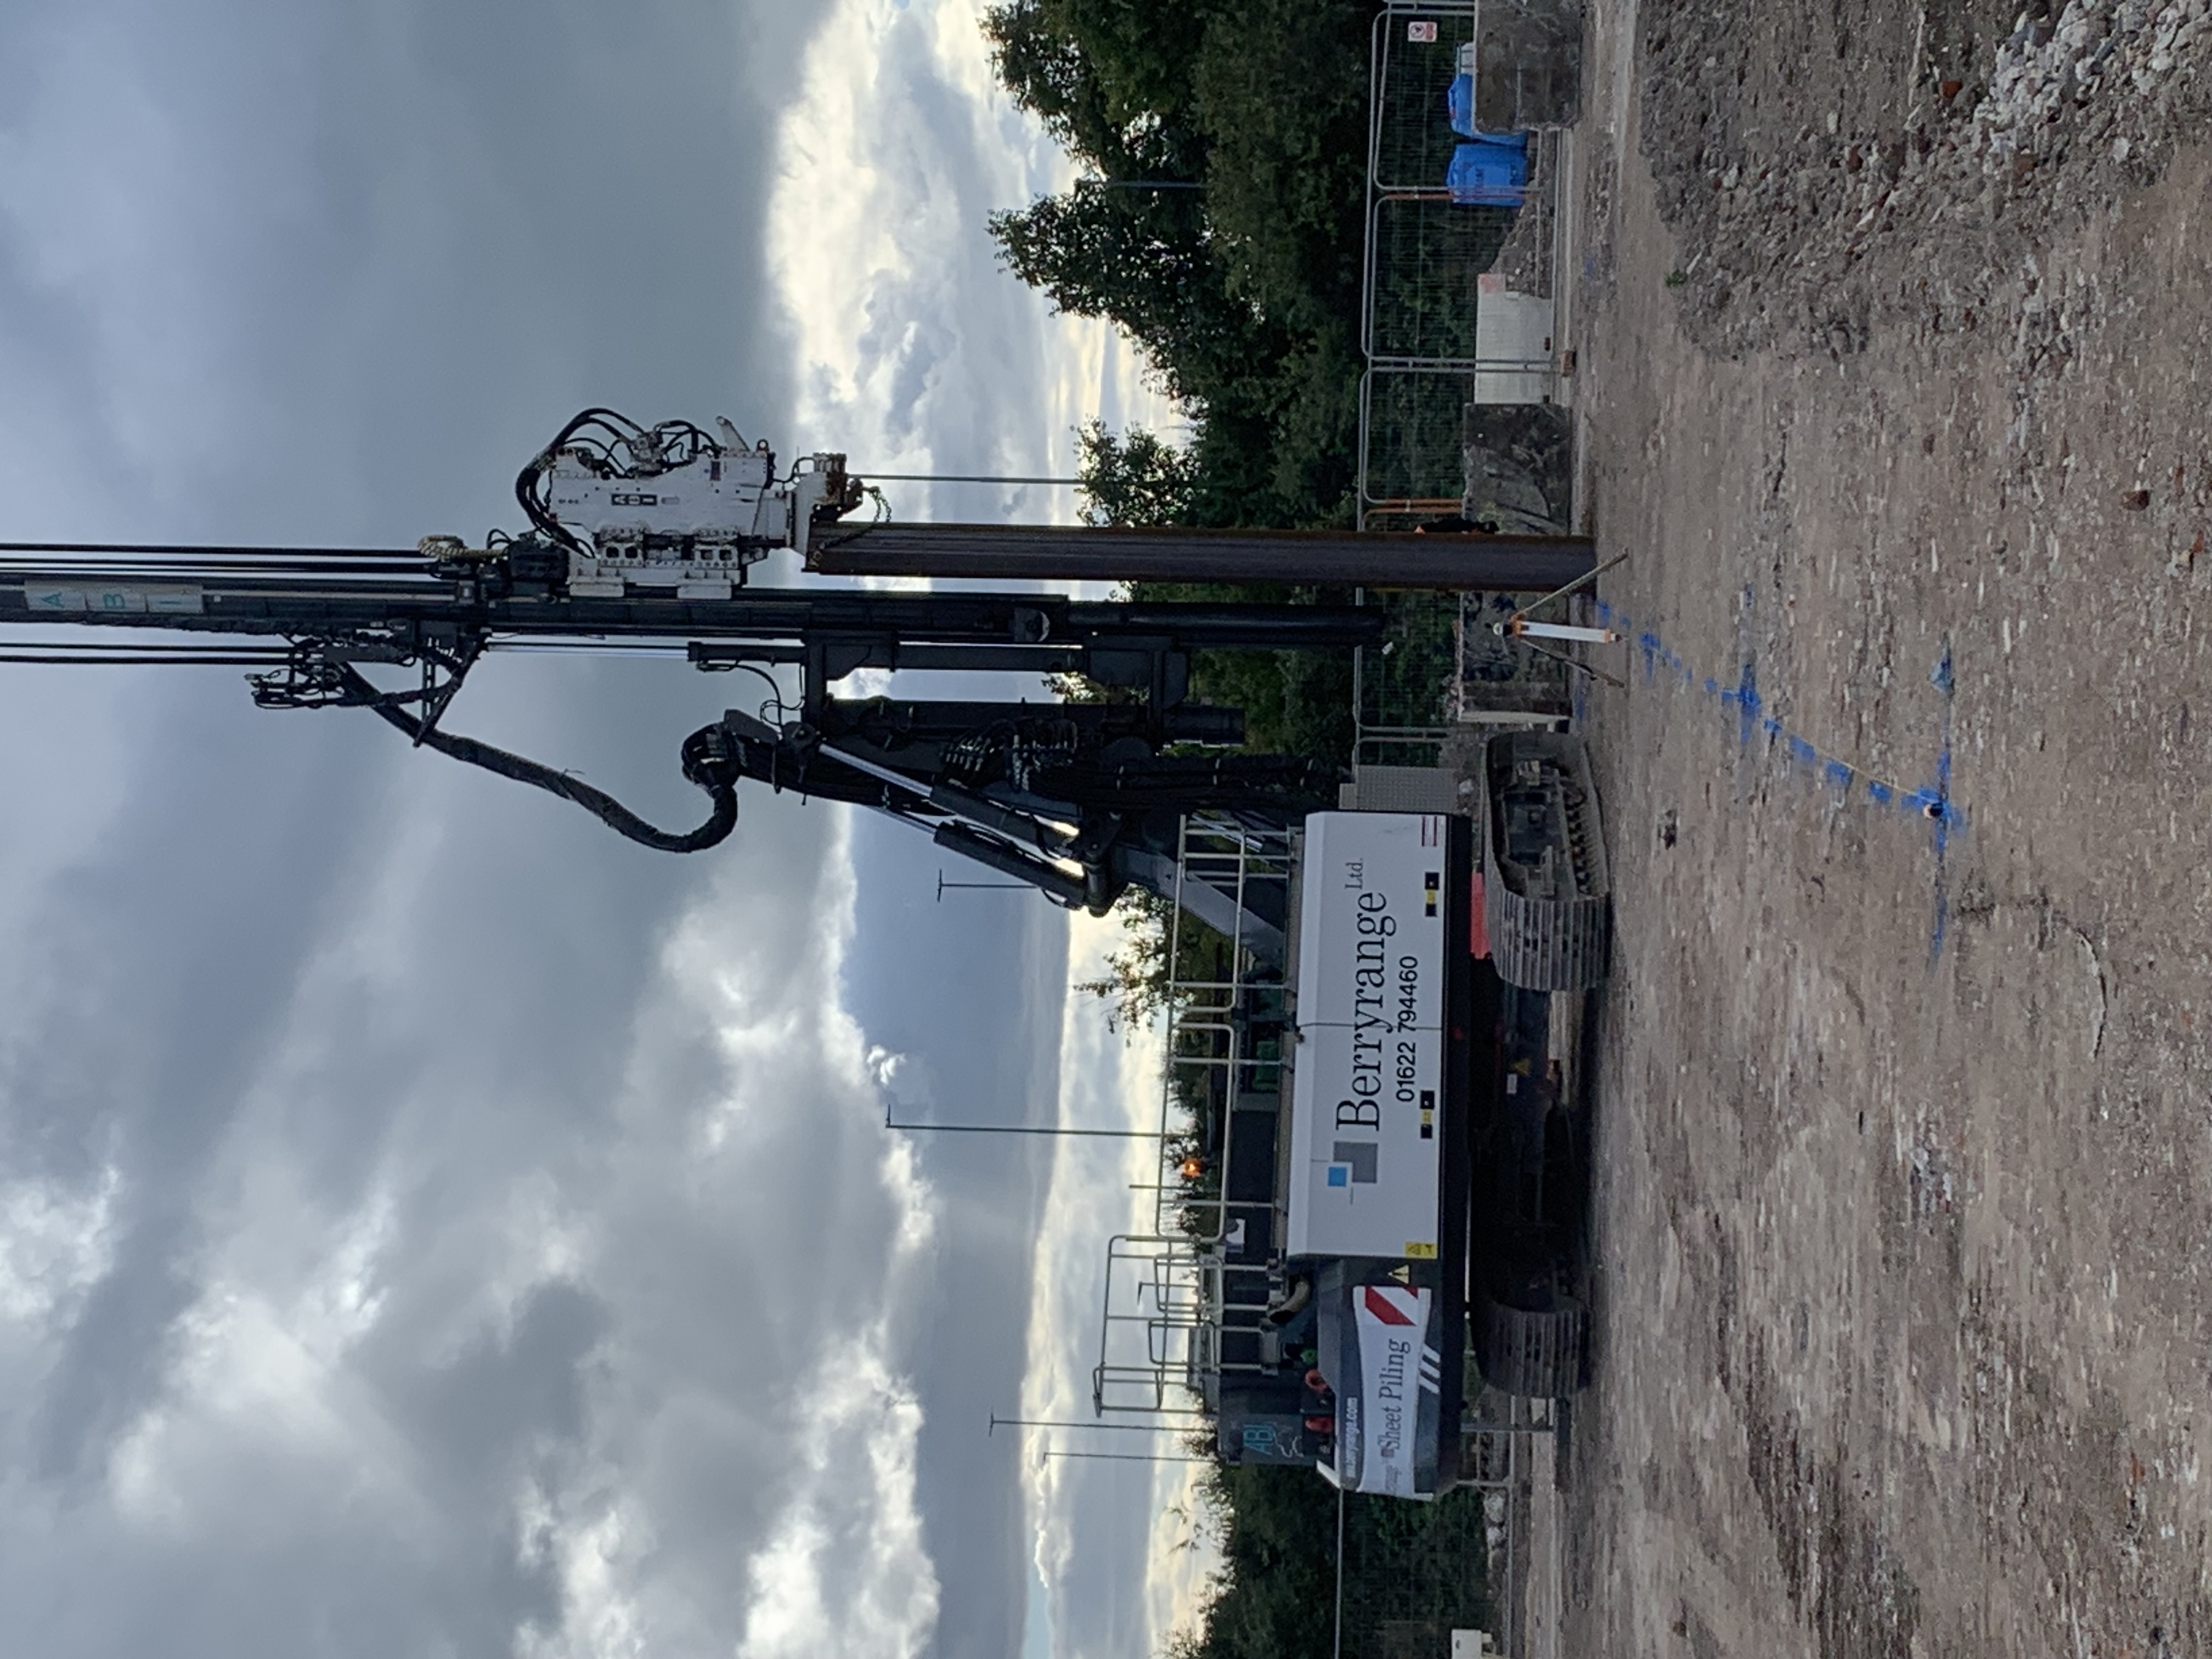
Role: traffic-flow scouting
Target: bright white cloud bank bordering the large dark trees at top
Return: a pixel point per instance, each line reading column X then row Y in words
column 919, row 355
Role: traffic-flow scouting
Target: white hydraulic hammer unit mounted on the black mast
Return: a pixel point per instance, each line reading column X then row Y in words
column 691, row 528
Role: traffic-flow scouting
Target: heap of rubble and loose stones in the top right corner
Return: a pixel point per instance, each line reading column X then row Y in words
column 1822, row 180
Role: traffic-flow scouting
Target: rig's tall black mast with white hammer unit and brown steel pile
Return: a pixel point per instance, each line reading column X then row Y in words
column 647, row 536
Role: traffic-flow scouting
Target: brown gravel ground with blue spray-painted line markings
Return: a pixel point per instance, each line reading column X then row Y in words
column 1897, row 382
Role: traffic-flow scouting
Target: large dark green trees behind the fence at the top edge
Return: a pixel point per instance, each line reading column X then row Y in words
column 1242, row 295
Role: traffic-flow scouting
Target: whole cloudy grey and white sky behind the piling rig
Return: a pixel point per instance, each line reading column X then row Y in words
column 430, row 1224
